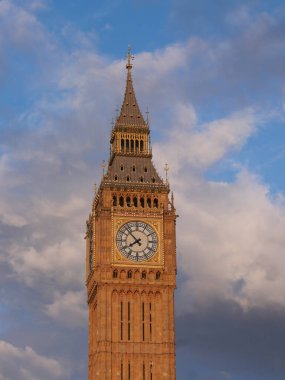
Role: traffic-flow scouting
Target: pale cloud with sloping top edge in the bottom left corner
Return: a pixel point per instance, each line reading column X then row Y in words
column 26, row 364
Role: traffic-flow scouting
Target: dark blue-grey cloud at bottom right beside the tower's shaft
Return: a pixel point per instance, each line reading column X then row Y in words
column 223, row 337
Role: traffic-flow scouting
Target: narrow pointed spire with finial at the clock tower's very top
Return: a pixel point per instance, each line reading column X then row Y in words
column 130, row 114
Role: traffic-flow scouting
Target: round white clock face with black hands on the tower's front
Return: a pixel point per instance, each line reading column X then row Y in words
column 137, row 241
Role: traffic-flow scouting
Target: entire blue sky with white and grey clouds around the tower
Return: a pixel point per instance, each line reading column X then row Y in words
column 212, row 75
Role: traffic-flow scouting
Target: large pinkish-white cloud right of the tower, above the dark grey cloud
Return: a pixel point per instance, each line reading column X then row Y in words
column 230, row 234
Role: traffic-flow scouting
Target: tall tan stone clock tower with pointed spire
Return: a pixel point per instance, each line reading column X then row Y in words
column 131, row 259
